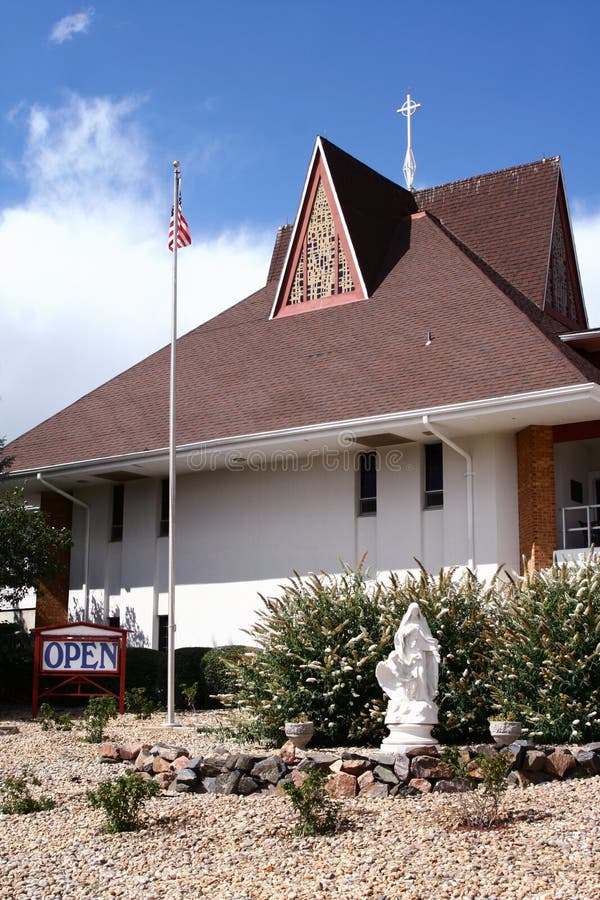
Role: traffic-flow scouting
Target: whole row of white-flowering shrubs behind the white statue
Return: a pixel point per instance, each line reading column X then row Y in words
column 528, row 651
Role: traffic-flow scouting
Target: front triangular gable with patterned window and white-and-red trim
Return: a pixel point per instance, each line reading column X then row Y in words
column 321, row 267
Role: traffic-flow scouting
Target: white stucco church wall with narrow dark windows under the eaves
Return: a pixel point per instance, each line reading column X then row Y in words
column 241, row 533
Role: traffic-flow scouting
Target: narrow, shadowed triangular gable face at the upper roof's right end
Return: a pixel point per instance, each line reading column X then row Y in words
column 563, row 300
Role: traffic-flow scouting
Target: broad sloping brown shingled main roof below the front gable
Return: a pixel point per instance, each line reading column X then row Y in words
column 242, row 373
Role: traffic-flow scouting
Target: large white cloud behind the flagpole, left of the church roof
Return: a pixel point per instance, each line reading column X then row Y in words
column 85, row 282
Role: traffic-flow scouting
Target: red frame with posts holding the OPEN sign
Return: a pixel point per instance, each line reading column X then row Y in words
column 78, row 681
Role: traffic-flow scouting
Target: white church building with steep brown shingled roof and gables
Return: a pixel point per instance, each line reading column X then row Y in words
column 415, row 381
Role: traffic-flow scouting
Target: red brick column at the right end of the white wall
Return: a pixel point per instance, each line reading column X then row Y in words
column 537, row 515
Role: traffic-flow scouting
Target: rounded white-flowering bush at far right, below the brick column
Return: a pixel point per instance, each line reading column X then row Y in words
column 545, row 649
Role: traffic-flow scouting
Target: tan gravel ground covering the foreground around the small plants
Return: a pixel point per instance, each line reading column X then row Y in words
column 234, row 848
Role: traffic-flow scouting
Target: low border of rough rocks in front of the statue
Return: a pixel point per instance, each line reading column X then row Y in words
column 352, row 774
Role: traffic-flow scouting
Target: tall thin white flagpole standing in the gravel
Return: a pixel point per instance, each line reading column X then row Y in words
column 172, row 474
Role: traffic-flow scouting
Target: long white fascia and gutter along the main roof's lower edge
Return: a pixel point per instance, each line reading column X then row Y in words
column 447, row 413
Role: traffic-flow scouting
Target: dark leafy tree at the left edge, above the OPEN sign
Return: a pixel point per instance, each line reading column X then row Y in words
column 29, row 545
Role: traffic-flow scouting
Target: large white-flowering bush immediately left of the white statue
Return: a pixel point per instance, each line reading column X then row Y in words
column 317, row 647
